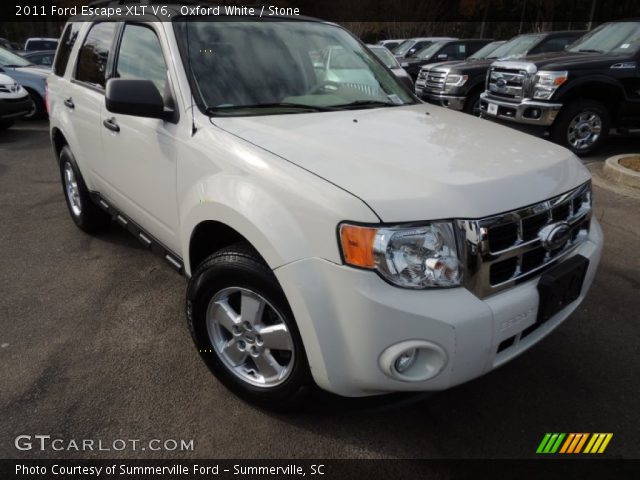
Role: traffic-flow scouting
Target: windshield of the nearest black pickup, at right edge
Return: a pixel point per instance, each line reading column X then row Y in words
column 617, row 38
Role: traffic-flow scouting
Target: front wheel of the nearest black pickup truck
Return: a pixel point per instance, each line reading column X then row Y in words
column 582, row 126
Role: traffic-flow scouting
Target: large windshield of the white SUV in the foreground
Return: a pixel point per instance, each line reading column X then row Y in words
column 263, row 68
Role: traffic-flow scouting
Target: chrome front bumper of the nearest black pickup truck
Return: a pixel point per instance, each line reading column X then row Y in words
column 527, row 111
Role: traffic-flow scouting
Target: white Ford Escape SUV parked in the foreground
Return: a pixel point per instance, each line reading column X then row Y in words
column 338, row 233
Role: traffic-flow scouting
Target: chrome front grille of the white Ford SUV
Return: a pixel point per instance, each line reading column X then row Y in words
column 506, row 249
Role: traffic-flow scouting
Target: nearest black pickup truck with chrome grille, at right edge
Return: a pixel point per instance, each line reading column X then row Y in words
column 576, row 96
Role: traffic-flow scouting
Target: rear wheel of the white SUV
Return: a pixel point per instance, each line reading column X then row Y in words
column 84, row 212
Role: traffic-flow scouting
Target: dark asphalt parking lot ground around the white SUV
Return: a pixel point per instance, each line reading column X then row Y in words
column 94, row 345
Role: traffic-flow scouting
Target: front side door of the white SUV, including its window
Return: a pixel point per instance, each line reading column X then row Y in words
column 139, row 168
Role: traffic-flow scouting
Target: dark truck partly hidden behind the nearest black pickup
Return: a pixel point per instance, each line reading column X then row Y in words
column 459, row 85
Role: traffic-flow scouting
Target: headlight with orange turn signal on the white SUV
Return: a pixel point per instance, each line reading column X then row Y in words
column 415, row 256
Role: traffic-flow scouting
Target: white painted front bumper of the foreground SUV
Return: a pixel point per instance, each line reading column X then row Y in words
column 349, row 318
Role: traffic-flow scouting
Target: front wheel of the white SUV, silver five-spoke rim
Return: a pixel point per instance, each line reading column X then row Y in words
column 244, row 329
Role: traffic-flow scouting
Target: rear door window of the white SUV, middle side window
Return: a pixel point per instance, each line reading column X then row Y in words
column 93, row 56
